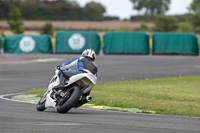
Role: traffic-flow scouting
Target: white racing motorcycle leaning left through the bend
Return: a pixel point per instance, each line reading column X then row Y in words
column 73, row 95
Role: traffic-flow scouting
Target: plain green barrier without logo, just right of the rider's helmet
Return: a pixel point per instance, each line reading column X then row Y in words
column 126, row 43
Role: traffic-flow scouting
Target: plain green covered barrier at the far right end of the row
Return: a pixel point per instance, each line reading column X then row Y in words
column 175, row 43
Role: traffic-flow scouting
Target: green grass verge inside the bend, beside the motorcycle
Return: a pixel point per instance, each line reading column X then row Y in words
column 169, row 96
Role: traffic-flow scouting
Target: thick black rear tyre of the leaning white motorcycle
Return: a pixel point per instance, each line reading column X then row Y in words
column 73, row 99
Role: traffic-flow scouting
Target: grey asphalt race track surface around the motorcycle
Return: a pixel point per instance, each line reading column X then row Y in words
column 20, row 73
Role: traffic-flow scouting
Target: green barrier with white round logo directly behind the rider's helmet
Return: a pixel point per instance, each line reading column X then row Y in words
column 76, row 42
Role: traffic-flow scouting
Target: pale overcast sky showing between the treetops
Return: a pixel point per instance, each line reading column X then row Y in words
column 124, row 8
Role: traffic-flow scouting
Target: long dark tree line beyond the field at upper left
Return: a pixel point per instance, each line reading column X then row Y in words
column 54, row 10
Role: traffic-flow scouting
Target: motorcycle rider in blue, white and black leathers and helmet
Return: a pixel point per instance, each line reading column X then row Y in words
column 83, row 64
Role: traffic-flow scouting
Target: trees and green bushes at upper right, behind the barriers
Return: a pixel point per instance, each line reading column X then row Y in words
column 154, row 11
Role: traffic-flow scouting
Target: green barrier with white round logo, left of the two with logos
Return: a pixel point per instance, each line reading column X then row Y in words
column 28, row 44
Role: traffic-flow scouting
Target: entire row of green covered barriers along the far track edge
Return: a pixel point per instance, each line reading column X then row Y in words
column 67, row 42
